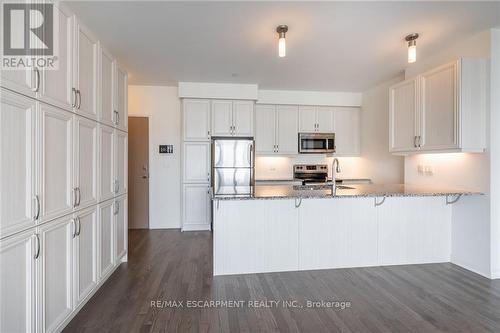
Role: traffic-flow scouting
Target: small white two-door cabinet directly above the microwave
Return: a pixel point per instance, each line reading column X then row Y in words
column 315, row 119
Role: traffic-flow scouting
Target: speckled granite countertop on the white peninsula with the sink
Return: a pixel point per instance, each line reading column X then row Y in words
column 350, row 191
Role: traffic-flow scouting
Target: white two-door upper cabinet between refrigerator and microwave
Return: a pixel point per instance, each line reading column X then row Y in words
column 276, row 129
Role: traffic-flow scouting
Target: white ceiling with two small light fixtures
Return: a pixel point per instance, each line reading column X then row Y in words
column 332, row 46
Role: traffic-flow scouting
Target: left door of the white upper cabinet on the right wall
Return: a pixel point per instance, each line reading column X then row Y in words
column 403, row 116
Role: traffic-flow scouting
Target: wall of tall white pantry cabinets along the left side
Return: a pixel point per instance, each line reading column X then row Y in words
column 63, row 181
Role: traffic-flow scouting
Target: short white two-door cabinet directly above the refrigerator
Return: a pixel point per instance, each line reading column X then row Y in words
column 232, row 118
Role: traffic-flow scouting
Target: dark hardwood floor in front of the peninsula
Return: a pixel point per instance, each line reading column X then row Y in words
column 173, row 266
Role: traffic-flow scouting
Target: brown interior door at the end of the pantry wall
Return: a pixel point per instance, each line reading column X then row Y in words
column 138, row 175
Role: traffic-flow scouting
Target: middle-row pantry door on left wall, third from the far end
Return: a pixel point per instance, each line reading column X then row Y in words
column 85, row 161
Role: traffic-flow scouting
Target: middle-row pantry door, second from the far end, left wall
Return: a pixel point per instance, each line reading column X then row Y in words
column 106, row 158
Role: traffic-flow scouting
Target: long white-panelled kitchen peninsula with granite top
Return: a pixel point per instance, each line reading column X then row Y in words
column 290, row 228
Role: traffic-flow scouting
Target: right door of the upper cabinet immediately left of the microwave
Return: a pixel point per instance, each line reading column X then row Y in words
column 287, row 119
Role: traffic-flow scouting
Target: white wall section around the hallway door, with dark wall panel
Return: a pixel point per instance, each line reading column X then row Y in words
column 163, row 106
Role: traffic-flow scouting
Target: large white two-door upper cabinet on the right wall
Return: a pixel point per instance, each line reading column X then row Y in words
column 441, row 110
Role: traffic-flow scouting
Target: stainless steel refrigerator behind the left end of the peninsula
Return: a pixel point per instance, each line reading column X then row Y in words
column 233, row 165
